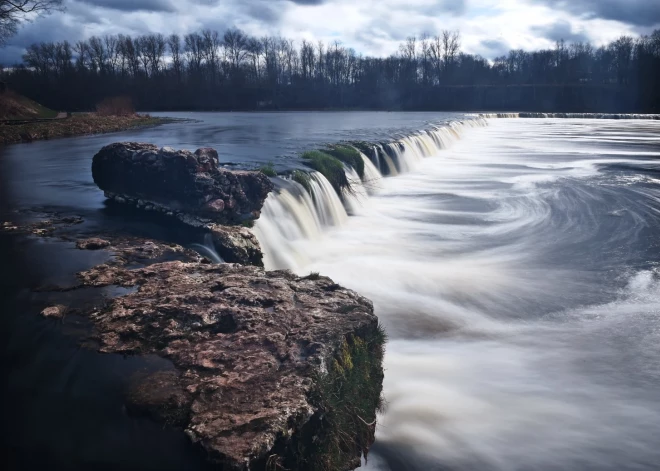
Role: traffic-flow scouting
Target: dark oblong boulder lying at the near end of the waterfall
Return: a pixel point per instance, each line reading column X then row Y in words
column 190, row 186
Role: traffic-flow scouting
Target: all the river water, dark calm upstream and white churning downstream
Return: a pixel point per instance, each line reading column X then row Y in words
column 513, row 262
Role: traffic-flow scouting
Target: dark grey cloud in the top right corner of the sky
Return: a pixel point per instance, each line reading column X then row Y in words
column 635, row 12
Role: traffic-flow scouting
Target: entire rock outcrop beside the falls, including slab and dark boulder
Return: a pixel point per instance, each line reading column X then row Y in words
column 269, row 370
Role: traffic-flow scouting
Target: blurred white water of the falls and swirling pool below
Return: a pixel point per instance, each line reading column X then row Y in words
column 518, row 283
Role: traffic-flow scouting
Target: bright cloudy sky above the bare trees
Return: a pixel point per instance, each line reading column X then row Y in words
column 371, row 27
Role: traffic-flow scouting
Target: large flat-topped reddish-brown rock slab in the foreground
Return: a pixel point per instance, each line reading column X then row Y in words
column 272, row 371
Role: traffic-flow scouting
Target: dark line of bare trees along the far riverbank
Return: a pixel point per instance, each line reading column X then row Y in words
column 207, row 70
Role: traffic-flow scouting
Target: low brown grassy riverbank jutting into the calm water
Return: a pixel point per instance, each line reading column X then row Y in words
column 76, row 125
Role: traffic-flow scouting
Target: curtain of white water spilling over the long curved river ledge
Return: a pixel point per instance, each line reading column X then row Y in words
column 293, row 216
